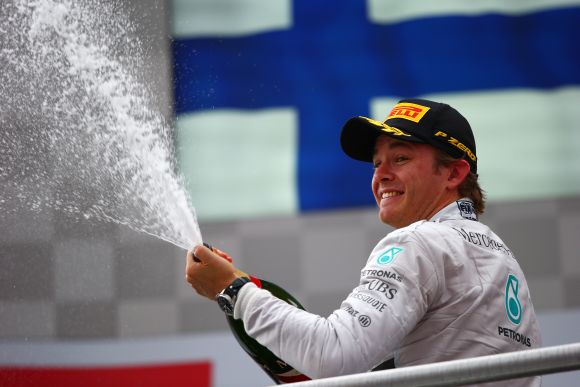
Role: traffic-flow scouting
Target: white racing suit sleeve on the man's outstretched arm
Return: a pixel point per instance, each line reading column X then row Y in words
column 396, row 286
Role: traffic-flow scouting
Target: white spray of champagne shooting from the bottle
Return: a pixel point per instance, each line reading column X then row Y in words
column 80, row 132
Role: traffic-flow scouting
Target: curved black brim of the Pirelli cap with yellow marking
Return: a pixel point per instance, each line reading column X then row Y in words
column 359, row 135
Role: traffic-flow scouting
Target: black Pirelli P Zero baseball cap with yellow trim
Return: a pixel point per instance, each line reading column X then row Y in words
column 415, row 120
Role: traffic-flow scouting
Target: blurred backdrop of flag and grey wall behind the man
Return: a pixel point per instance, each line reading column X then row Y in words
column 256, row 93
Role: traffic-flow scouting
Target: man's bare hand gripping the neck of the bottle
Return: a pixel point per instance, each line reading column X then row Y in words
column 207, row 272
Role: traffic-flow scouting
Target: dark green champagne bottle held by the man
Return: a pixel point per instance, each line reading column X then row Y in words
column 280, row 371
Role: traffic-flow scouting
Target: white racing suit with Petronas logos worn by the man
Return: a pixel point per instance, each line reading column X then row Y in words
column 437, row 290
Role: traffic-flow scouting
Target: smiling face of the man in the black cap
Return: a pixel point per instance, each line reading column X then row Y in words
column 406, row 185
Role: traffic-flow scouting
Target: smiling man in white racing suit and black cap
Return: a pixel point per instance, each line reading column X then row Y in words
column 442, row 286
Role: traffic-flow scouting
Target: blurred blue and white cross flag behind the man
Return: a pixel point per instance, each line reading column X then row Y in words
column 262, row 89
